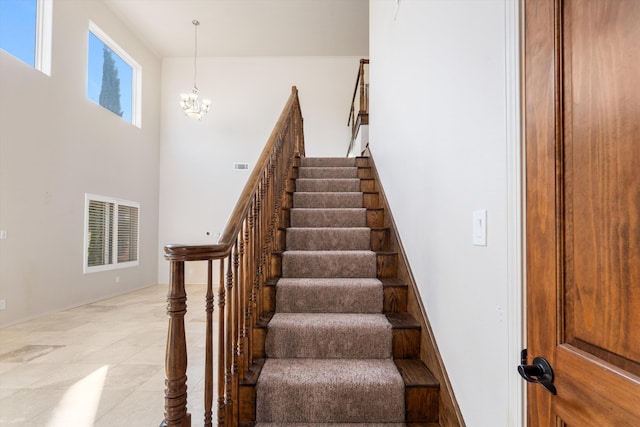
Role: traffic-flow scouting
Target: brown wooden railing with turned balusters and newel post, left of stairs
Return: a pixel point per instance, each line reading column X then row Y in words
column 243, row 254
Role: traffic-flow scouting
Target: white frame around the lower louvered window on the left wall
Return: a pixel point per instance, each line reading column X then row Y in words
column 115, row 265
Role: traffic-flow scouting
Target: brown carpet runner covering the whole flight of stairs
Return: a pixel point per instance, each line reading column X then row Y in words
column 329, row 346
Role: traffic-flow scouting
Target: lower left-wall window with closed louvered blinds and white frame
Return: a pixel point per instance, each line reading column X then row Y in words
column 111, row 233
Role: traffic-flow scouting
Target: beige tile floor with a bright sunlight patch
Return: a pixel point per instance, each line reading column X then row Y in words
column 100, row 364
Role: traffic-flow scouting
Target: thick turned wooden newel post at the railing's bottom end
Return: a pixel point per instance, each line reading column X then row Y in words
column 175, row 392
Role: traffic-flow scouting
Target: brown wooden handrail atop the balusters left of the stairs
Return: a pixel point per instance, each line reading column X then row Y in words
column 178, row 252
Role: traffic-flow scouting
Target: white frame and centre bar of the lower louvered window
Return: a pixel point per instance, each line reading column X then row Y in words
column 115, row 264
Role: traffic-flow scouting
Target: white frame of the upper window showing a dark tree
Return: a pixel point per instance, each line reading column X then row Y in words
column 136, row 78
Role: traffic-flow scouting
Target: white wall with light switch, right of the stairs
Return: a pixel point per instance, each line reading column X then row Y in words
column 443, row 131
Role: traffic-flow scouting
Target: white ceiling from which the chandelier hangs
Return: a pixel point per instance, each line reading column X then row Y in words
column 249, row 27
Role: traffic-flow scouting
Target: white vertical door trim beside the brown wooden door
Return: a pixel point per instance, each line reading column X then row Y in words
column 515, row 220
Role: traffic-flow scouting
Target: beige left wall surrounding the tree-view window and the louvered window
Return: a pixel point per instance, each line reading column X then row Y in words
column 55, row 146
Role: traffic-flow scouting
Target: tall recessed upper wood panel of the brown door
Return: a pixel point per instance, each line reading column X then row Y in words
column 602, row 178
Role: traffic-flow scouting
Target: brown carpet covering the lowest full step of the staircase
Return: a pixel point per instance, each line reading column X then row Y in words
column 330, row 391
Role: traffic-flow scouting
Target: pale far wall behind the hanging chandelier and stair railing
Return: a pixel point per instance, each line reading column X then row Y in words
column 198, row 185
